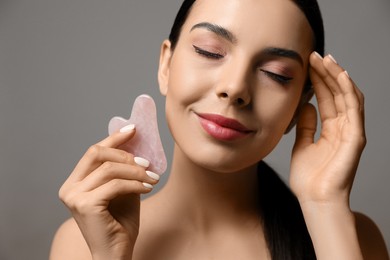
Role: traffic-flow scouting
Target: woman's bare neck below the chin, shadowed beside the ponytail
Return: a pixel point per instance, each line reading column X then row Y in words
column 207, row 198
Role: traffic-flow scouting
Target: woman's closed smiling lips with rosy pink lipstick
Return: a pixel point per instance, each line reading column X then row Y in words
column 222, row 128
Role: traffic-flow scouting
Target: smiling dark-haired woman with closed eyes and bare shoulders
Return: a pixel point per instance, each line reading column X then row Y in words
column 235, row 75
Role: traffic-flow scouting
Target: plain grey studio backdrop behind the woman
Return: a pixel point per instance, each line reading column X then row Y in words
column 67, row 67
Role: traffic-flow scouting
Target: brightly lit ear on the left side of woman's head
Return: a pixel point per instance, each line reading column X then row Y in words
column 164, row 65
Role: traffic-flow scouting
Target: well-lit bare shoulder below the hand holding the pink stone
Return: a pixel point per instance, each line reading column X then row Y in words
column 69, row 243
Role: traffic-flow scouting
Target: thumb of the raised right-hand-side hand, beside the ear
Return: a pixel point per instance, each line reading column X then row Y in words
column 306, row 127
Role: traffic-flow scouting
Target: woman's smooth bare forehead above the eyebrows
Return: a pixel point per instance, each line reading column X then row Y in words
column 272, row 22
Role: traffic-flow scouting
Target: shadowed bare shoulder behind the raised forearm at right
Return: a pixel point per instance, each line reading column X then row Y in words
column 370, row 238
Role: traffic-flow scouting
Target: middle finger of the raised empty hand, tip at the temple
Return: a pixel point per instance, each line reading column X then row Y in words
column 318, row 64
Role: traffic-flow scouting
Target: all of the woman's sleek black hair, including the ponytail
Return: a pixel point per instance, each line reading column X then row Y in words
column 284, row 226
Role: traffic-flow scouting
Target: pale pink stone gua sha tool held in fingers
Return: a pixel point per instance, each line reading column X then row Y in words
column 146, row 142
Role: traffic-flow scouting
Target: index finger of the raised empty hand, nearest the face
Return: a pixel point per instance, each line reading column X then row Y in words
column 325, row 99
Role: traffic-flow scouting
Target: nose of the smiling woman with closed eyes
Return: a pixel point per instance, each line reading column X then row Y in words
column 234, row 85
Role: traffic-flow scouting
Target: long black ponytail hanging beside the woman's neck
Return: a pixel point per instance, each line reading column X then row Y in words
column 283, row 223
